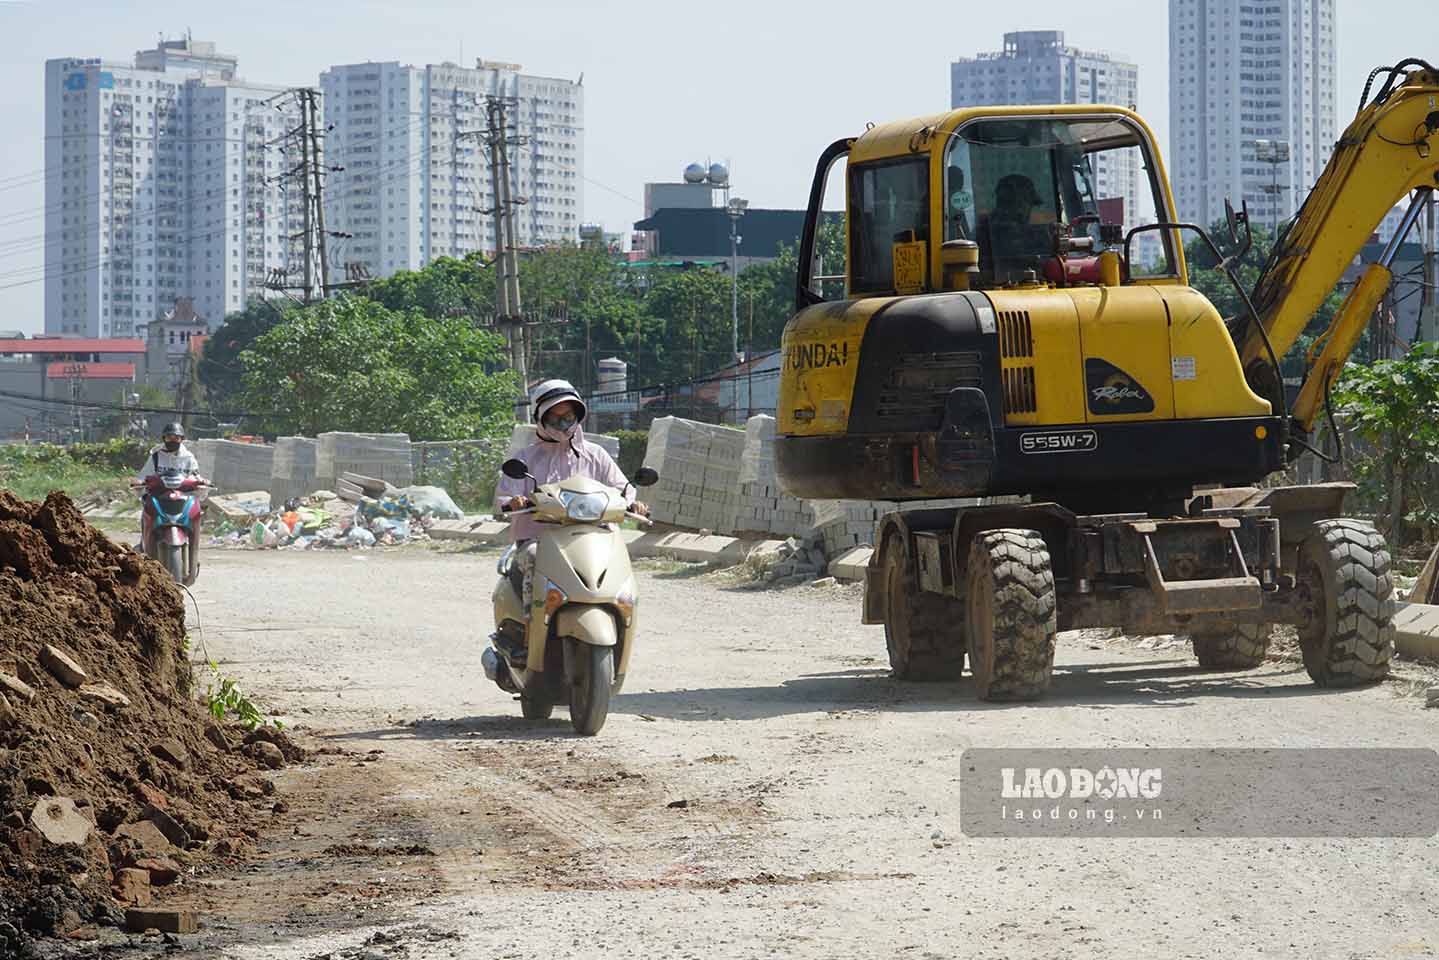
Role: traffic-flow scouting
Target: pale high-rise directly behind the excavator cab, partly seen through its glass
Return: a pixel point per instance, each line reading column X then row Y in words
column 1035, row 67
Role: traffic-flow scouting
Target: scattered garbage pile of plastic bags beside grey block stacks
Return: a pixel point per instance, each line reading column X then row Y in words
column 365, row 513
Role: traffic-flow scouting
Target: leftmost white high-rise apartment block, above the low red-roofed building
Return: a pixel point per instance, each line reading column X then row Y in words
column 169, row 186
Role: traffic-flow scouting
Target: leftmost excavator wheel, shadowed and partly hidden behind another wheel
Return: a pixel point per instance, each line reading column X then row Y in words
column 925, row 633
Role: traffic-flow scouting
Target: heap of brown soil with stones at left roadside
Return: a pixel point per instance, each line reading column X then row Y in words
column 113, row 778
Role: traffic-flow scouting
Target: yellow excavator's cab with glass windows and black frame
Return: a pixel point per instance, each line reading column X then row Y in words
column 995, row 199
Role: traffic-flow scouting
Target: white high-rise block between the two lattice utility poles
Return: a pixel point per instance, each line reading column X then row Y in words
column 417, row 182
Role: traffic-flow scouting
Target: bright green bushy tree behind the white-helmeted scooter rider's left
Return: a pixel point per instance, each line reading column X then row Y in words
column 353, row 365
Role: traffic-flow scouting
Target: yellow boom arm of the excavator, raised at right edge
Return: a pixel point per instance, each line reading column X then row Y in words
column 1391, row 149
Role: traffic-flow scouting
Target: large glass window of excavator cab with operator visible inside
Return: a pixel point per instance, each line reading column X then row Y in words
column 1017, row 185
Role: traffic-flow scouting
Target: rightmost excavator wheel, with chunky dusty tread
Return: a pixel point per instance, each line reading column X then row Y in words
column 1351, row 635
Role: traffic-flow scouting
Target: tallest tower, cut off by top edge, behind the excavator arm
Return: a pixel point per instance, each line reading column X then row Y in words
column 1244, row 71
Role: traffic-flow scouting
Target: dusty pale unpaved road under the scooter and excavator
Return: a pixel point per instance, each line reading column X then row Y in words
column 821, row 815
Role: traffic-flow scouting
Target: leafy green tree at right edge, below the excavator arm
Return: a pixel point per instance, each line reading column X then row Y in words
column 1394, row 407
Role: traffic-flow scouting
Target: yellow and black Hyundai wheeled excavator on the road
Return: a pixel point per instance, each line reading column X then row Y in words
column 1015, row 335
